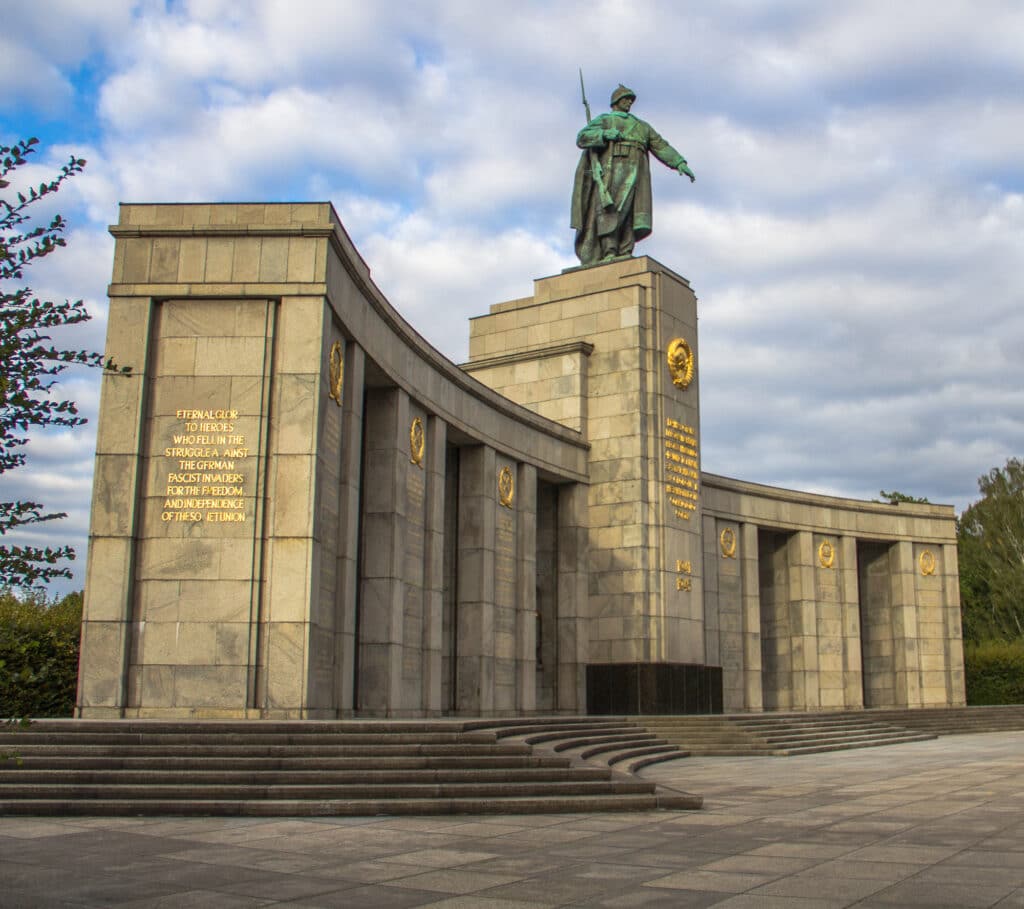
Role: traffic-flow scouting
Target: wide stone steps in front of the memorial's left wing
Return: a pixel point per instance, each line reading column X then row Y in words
column 298, row 769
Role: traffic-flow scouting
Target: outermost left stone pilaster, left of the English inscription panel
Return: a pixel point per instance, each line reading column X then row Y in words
column 108, row 612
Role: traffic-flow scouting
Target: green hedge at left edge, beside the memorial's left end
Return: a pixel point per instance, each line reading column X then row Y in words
column 39, row 644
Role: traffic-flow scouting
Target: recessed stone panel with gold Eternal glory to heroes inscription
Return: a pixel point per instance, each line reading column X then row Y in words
column 205, row 464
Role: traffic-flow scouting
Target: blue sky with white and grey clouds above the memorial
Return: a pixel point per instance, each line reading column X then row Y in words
column 856, row 236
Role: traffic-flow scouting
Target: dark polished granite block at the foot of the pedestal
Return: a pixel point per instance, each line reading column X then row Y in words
column 654, row 688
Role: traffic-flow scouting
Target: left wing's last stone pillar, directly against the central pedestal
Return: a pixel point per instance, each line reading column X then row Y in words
column 573, row 598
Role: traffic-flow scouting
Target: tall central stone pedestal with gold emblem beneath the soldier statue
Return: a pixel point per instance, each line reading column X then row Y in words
column 613, row 352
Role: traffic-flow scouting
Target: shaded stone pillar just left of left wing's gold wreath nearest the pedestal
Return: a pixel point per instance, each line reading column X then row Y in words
column 476, row 614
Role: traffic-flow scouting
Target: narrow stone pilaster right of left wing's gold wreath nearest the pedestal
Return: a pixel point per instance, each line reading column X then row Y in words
column 526, row 636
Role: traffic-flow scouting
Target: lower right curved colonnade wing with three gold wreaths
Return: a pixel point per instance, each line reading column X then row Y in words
column 850, row 603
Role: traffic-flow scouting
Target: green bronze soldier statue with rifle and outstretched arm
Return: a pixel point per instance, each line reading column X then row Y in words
column 612, row 205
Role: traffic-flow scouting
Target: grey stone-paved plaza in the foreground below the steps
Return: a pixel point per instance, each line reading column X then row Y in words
column 937, row 824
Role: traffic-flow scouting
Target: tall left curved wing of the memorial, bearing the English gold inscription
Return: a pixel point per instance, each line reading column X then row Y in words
column 268, row 540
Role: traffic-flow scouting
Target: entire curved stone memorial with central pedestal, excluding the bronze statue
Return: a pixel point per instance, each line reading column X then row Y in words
column 303, row 510
